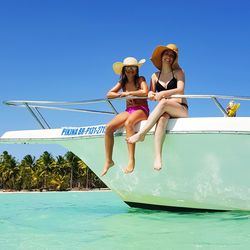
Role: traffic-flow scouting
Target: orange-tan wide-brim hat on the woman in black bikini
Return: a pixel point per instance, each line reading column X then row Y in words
column 156, row 56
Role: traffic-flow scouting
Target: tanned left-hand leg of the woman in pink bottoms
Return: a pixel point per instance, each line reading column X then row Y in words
column 111, row 127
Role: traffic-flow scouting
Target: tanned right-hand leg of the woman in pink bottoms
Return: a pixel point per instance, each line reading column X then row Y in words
column 134, row 118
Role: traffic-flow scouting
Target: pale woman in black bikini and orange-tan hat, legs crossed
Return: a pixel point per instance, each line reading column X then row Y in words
column 170, row 80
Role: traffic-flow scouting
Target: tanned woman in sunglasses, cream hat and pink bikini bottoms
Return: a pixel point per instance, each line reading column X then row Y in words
column 130, row 84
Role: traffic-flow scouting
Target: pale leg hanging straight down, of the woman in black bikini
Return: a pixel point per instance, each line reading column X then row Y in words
column 160, row 132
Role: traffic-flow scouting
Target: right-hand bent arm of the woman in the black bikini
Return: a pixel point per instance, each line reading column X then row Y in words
column 180, row 77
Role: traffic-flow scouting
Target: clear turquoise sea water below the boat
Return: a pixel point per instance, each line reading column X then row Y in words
column 100, row 220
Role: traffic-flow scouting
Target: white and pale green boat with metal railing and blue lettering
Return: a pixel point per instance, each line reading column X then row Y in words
column 206, row 159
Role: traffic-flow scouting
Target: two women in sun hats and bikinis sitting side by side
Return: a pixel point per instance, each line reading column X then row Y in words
column 168, row 81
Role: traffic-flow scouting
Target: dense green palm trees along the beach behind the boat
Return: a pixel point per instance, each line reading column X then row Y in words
column 46, row 173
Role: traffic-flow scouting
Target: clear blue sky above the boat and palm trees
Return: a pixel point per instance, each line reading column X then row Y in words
column 63, row 50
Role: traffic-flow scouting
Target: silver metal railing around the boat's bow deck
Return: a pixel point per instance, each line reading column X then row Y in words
column 34, row 106
